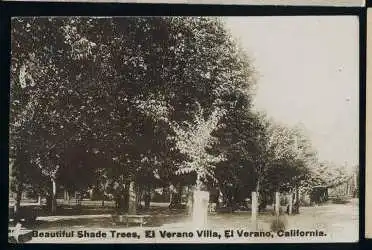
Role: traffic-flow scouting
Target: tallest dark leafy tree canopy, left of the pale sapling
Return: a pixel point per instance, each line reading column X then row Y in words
column 114, row 86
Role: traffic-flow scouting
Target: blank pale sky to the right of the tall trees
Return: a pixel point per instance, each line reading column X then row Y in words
column 308, row 73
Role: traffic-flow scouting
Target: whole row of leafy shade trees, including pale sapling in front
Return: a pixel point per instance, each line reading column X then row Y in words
column 144, row 100
